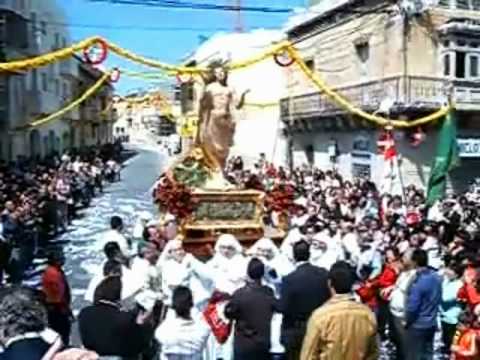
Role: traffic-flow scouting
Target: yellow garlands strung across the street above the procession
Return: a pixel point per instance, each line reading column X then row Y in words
column 279, row 52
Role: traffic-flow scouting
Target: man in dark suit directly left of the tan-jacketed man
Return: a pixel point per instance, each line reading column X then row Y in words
column 302, row 292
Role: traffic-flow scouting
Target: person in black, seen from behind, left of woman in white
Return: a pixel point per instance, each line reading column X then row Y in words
column 108, row 330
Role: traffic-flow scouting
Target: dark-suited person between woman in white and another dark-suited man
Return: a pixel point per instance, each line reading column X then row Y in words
column 252, row 308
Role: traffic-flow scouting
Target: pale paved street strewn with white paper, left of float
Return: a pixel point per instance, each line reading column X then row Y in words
column 82, row 243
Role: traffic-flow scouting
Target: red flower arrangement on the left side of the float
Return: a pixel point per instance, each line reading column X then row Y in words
column 174, row 197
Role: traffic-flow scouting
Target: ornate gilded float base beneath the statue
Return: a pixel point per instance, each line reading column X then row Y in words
column 236, row 212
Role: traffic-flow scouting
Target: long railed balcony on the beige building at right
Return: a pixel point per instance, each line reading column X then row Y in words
column 412, row 93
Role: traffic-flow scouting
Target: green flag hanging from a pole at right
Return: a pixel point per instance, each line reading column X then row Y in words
column 445, row 160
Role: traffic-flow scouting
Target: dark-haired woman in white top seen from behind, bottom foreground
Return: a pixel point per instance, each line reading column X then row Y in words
column 183, row 335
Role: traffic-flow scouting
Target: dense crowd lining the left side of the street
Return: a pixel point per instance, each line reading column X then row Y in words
column 40, row 198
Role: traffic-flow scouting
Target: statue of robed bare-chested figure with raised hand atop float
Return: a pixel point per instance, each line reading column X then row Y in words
column 217, row 103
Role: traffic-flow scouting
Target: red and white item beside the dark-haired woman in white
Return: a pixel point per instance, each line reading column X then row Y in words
column 213, row 315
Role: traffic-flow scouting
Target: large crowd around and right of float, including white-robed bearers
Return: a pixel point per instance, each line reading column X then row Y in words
column 357, row 269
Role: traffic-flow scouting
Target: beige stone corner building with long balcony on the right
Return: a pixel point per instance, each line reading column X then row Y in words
column 410, row 56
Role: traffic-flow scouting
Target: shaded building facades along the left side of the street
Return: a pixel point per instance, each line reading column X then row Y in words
column 29, row 28
